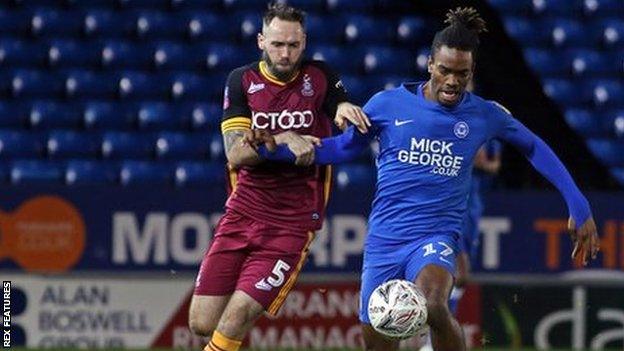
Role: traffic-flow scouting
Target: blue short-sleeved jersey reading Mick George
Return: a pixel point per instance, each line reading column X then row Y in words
column 425, row 159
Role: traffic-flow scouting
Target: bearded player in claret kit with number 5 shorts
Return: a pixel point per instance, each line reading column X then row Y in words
column 273, row 208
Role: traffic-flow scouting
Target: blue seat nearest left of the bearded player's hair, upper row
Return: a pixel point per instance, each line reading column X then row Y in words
column 205, row 25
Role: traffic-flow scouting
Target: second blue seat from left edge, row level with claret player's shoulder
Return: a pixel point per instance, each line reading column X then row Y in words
column 87, row 84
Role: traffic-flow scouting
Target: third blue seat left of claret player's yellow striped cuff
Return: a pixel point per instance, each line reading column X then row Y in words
column 108, row 116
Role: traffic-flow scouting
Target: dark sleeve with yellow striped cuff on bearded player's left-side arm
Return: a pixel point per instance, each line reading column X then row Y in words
column 236, row 113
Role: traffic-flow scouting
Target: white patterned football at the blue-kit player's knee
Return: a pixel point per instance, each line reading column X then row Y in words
column 397, row 309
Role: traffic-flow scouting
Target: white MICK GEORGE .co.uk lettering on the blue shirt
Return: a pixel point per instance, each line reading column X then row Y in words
column 435, row 153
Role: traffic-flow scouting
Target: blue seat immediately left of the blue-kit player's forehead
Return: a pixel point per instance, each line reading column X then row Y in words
column 388, row 60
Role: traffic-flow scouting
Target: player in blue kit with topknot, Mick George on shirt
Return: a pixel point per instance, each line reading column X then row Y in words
column 429, row 133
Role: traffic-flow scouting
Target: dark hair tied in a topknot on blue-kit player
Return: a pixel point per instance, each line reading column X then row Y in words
column 462, row 31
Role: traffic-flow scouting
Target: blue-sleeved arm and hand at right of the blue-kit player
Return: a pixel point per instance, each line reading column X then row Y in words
column 581, row 223
